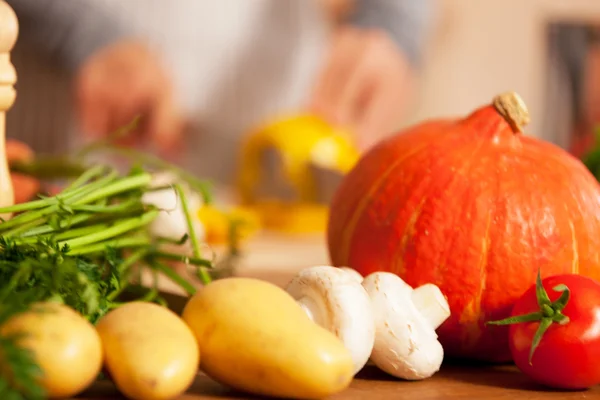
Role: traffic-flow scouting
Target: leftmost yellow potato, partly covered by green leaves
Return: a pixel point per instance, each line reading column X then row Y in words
column 66, row 347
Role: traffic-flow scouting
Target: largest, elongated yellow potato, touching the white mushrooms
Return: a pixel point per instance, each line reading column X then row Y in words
column 254, row 337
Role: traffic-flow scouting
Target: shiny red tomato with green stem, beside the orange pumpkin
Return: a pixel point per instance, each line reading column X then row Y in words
column 568, row 353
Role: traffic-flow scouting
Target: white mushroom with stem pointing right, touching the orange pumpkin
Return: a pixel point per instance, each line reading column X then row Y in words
column 406, row 344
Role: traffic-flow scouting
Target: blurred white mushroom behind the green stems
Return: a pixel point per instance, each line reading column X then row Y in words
column 171, row 222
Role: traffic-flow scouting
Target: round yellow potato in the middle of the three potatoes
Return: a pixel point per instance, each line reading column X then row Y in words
column 150, row 353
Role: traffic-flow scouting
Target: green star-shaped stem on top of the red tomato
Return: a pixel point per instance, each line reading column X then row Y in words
column 550, row 312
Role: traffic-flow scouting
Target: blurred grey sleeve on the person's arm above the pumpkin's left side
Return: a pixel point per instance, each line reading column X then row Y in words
column 407, row 21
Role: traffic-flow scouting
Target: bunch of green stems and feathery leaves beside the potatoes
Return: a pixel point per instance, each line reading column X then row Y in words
column 85, row 247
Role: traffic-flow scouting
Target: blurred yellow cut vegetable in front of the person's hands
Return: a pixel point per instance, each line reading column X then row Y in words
column 302, row 141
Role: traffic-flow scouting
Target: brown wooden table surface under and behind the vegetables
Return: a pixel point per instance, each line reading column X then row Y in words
column 277, row 259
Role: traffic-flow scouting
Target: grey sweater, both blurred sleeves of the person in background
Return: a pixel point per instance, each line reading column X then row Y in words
column 71, row 30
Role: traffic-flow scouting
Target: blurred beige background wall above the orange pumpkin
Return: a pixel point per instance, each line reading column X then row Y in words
column 482, row 47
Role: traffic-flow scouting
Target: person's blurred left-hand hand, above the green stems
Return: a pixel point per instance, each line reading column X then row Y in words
column 120, row 82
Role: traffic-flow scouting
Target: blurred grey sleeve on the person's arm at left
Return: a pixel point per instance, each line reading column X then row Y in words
column 68, row 30
